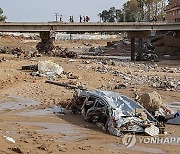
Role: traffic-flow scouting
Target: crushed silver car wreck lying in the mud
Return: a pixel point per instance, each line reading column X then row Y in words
column 116, row 113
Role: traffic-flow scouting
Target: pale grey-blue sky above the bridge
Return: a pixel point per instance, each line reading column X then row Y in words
column 44, row 10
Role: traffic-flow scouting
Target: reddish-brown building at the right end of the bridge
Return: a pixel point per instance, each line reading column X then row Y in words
column 173, row 11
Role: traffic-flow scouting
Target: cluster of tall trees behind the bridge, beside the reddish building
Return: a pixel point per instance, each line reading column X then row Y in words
column 135, row 10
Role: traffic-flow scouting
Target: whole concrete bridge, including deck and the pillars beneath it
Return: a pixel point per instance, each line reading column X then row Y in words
column 47, row 29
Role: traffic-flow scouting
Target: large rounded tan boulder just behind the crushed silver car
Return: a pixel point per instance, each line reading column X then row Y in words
column 151, row 101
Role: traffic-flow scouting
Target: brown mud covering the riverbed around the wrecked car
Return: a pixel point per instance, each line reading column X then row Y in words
column 30, row 107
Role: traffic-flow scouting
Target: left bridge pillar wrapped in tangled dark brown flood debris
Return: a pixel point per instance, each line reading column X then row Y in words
column 46, row 44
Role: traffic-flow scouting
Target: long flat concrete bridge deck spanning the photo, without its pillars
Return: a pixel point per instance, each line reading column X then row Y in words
column 86, row 27
